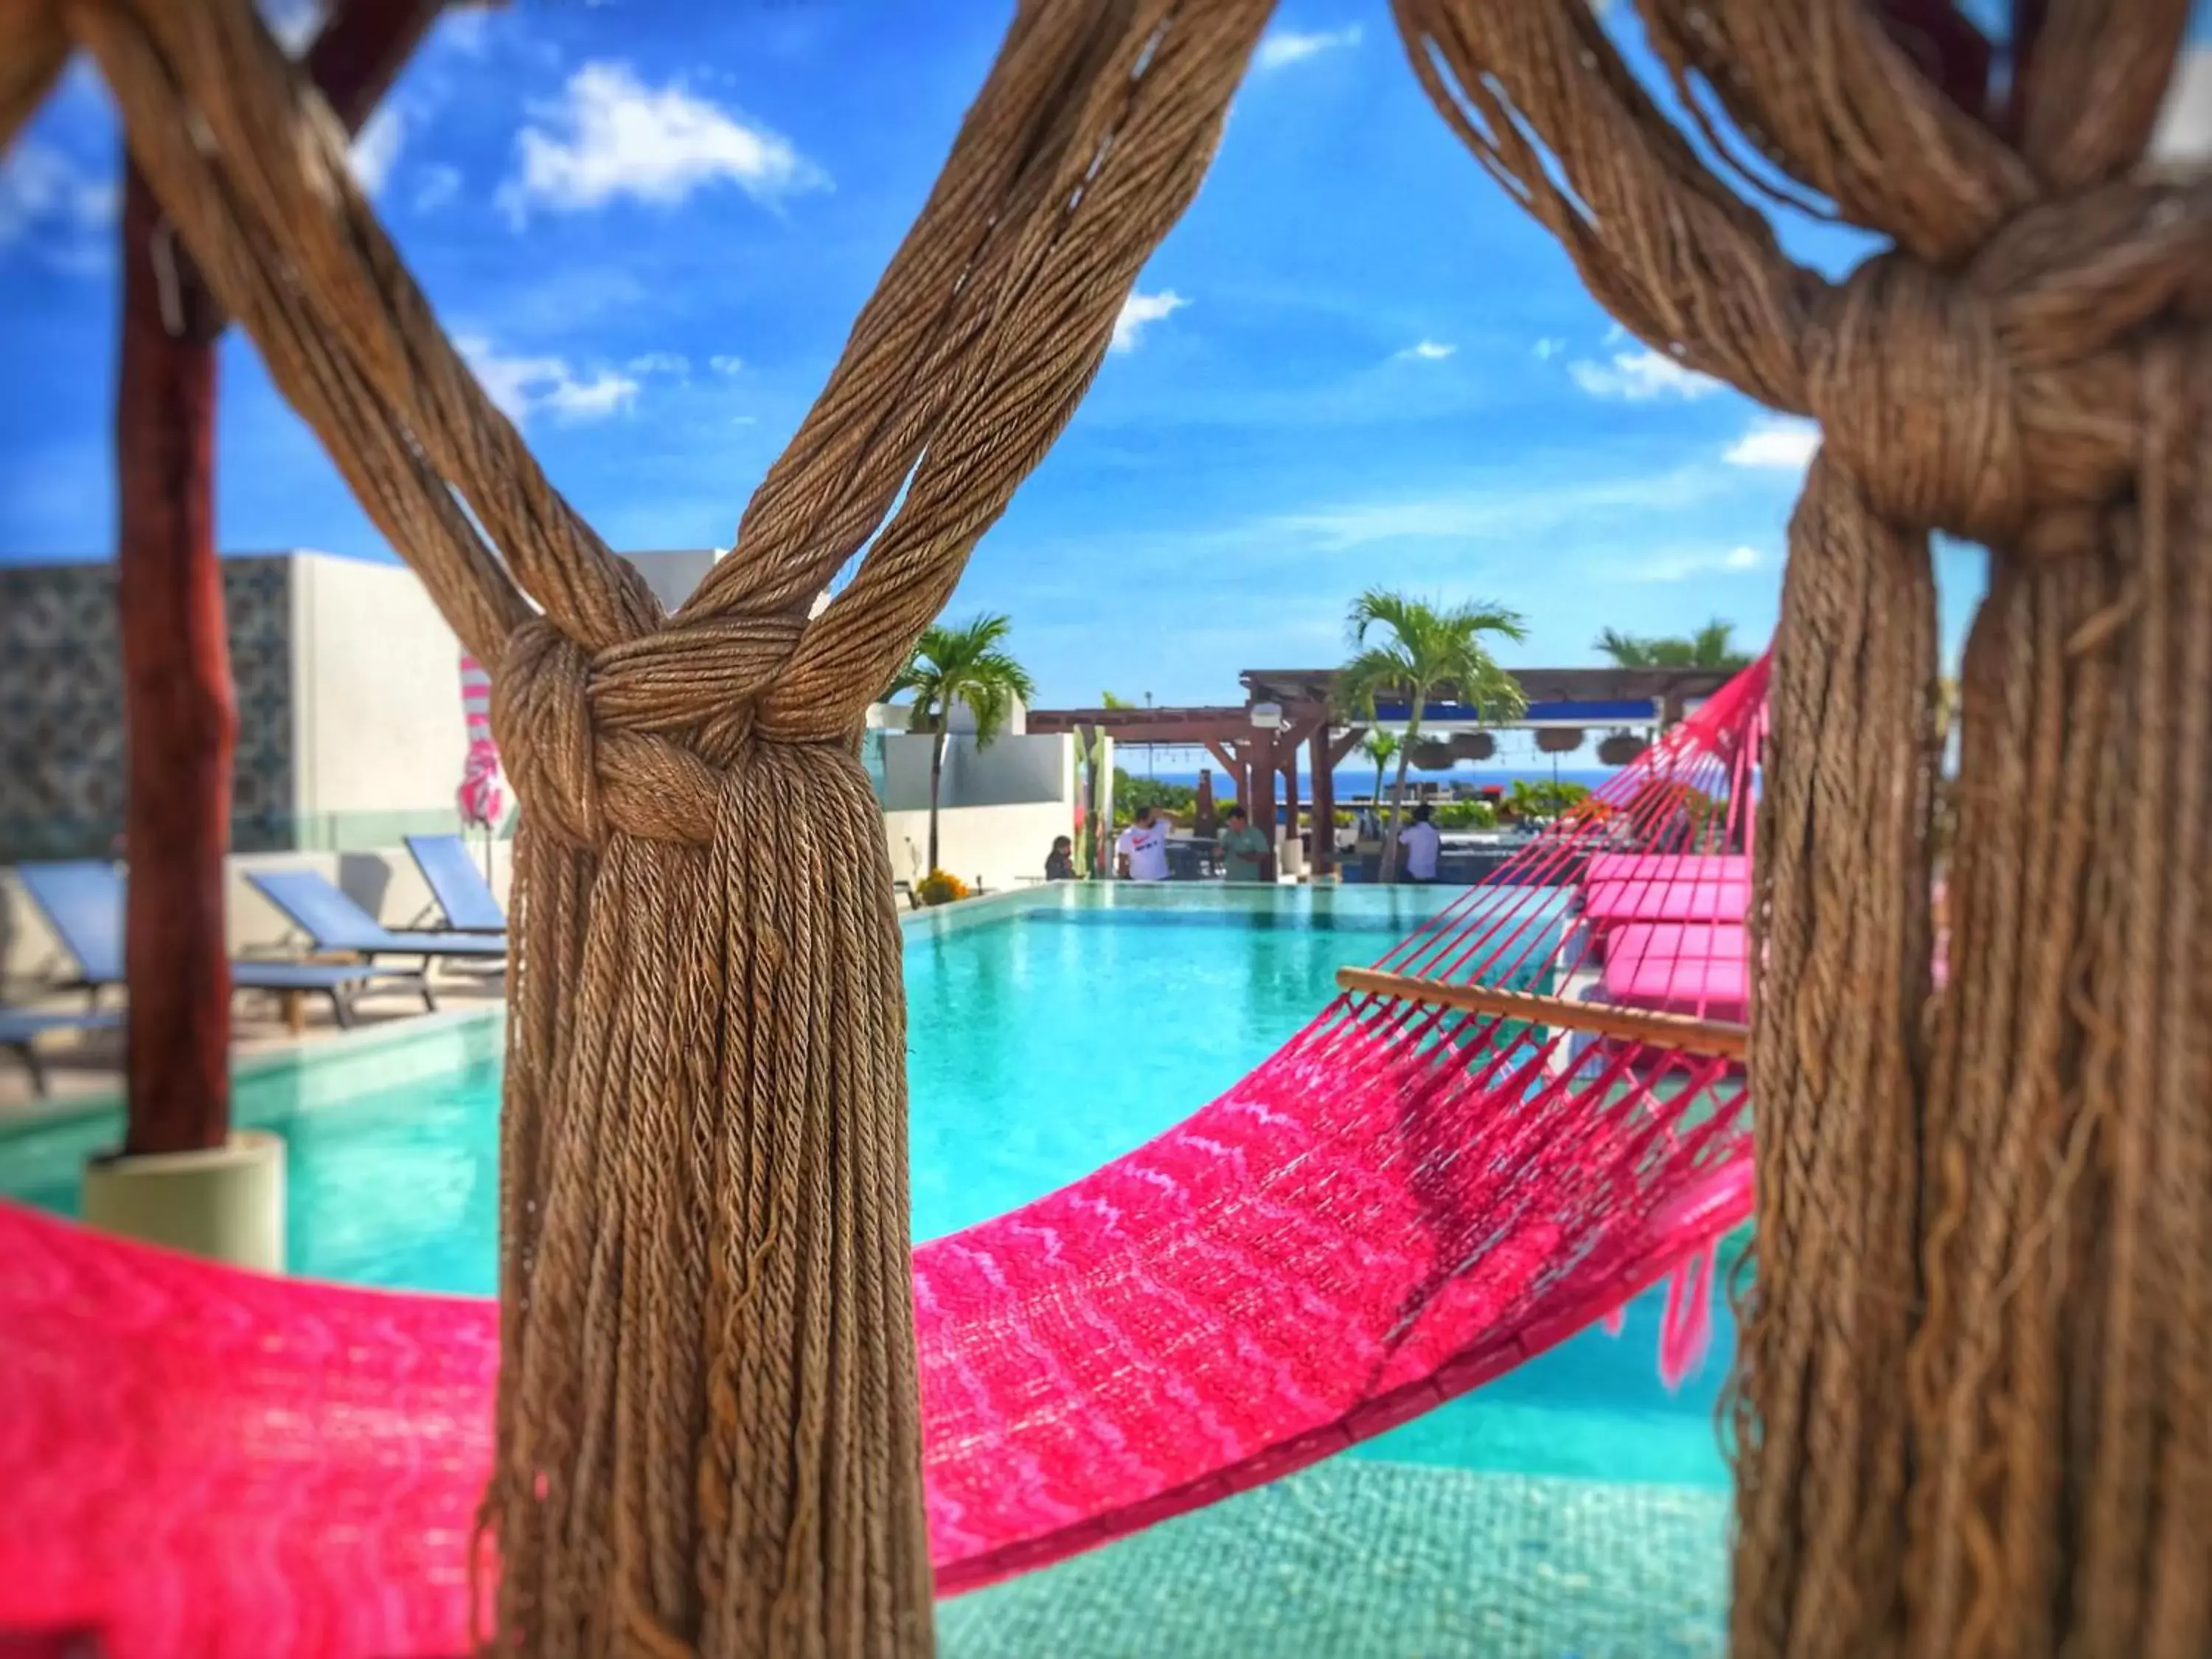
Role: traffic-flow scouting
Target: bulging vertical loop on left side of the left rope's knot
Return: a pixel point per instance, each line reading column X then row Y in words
column 541, row 711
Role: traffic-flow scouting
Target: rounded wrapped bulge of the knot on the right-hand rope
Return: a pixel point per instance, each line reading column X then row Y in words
column 1910, row 377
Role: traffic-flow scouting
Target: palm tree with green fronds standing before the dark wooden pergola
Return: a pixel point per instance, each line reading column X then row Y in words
column 1426, row 651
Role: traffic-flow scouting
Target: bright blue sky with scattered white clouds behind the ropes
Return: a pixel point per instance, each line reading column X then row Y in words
column 651, row 225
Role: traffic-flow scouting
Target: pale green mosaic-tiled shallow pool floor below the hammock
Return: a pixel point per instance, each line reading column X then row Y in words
column 1375, row 1561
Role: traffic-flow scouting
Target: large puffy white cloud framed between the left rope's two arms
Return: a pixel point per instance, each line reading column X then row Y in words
column 612, row 136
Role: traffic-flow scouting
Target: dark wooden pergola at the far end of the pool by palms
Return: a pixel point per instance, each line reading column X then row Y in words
column 1295, row 709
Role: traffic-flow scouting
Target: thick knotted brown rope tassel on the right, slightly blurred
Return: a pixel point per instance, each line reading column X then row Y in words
column 1983, row 1266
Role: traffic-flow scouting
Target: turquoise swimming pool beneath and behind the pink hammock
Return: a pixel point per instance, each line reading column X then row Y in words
column 1569, row 1507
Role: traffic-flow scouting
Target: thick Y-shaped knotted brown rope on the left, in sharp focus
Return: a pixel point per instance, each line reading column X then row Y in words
column 709, row 1421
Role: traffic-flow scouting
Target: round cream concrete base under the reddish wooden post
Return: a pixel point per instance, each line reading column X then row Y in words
column 225, row 1204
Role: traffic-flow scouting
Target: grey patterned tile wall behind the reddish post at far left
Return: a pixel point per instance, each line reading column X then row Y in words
column 61, row 709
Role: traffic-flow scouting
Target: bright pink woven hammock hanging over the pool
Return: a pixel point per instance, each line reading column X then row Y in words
column 1395, row 1209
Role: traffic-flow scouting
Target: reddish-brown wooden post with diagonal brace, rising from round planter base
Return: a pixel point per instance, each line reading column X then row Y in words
column 180, row 709
